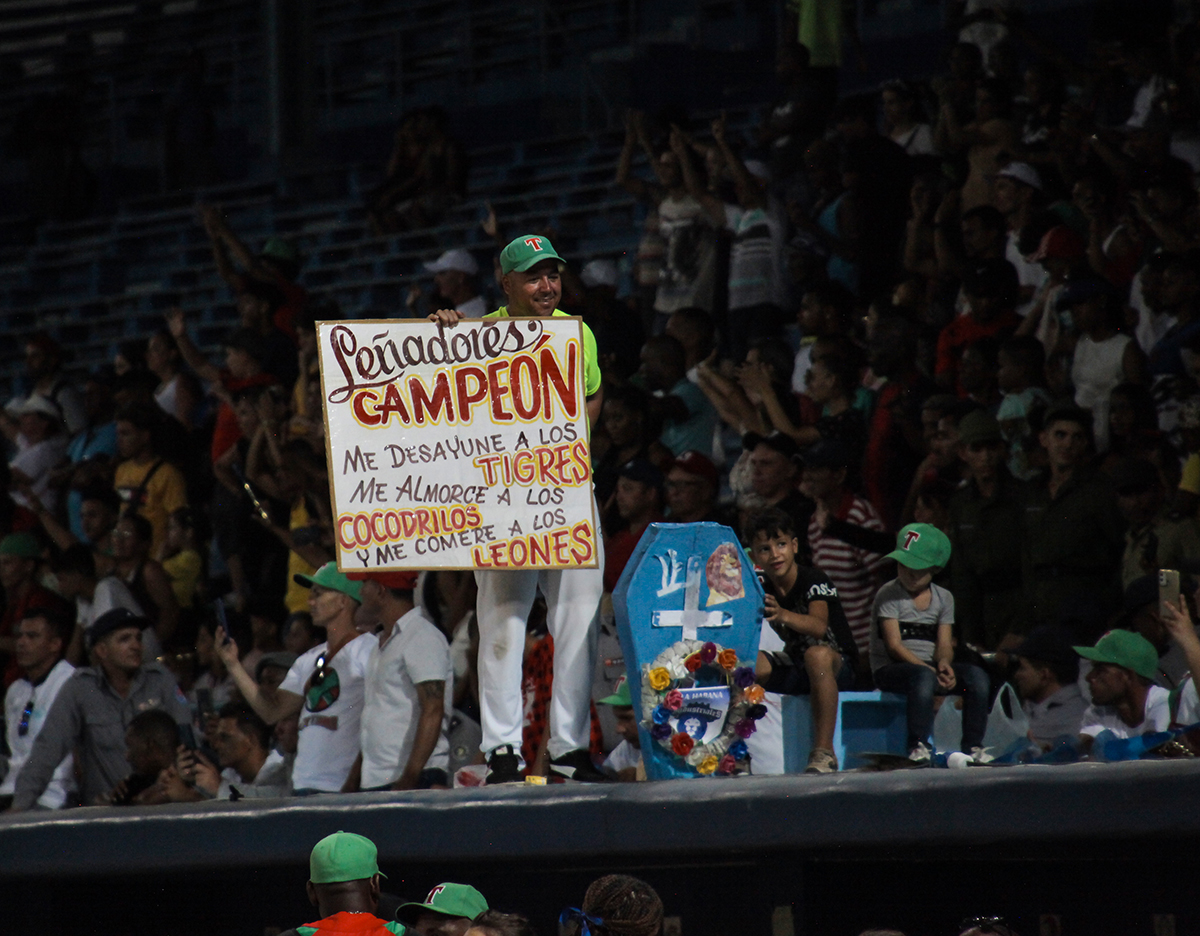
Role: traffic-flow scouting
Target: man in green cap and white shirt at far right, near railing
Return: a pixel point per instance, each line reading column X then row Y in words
column 1125, row 699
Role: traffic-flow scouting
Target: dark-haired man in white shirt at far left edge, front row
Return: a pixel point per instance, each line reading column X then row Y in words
column 41, row 639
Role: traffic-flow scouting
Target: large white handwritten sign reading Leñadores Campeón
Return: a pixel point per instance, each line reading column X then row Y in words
column 465, row 448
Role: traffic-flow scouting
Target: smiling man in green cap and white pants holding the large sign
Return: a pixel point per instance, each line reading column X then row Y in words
column 532, row 284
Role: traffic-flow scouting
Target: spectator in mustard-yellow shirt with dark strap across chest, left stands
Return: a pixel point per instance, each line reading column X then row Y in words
column 147, row 483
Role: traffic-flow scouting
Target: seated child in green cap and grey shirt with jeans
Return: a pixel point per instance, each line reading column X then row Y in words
column 911, row 649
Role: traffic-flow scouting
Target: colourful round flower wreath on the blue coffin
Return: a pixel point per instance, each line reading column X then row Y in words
column 677, row 667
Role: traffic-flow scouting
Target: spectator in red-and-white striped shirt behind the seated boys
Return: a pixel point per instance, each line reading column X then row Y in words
column 855, row 572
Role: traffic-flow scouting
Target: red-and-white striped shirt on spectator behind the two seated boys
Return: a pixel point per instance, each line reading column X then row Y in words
column 856, row 573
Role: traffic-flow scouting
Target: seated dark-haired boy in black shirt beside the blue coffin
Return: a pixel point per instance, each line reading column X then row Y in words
column 802, row 607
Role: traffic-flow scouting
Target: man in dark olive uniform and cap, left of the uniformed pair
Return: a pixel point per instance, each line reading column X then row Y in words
column 986, row 531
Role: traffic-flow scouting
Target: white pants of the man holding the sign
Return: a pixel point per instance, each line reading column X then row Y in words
column 573, row 607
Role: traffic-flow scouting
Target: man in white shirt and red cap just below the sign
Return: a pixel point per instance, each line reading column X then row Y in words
column 410, row 693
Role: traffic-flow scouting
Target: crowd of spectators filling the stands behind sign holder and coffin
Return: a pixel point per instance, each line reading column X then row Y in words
column 965, row 308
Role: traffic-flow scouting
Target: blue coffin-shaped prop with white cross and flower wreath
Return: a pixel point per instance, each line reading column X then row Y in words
column 689, row 613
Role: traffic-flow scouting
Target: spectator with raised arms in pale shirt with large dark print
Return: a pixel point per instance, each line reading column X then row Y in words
column 686, row 279
